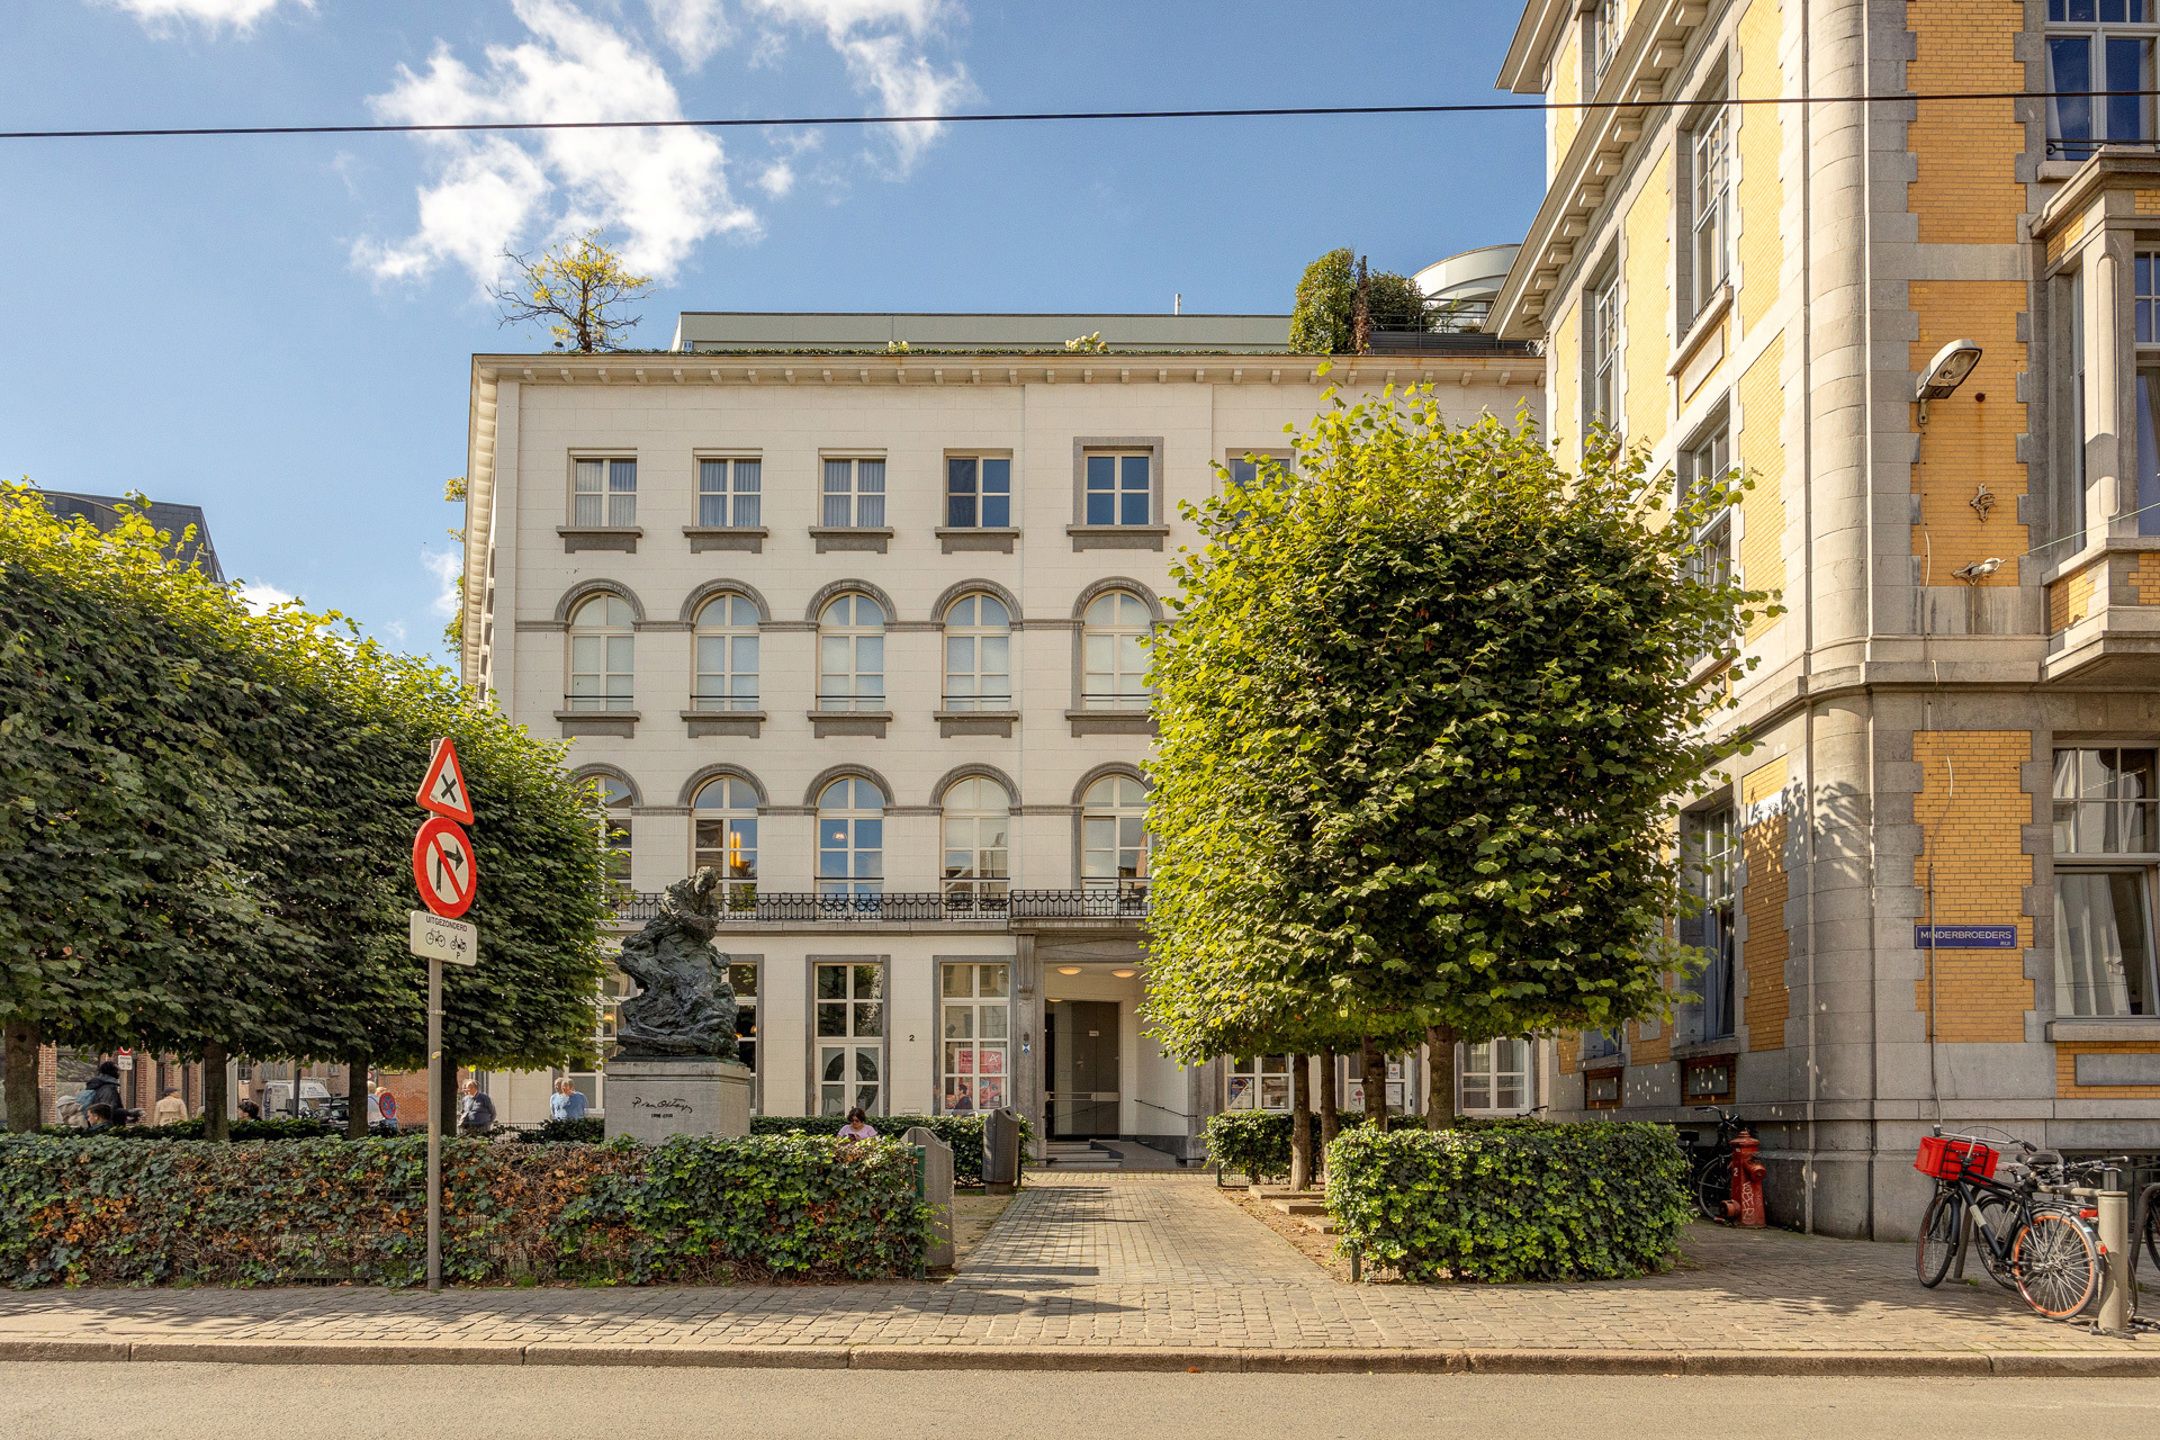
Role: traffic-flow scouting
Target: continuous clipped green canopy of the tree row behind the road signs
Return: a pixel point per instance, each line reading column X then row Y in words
column 206, row 824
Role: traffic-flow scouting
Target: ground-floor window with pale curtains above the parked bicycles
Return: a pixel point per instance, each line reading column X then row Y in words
column 2105, row 806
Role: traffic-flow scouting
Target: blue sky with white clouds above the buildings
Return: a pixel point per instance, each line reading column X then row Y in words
column 280, row 329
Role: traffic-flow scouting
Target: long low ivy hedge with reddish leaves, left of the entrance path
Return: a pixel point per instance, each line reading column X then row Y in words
column 688, row 1212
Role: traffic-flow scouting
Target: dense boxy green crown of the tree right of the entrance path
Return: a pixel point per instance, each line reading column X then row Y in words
column 1427, row 707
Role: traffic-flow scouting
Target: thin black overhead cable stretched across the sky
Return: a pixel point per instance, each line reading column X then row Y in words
column 1031, row 118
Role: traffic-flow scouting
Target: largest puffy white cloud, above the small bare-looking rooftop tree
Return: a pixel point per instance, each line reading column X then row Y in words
column 664, row 191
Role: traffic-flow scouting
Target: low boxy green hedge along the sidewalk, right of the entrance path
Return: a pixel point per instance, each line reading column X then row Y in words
column 1511, row 1201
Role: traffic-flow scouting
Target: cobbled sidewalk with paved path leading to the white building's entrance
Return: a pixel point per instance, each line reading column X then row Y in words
column 1139, row 1273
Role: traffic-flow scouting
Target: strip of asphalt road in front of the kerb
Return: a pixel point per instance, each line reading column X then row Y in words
column 178, row 1402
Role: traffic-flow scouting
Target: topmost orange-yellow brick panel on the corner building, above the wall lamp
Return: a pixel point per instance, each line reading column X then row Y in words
column 1967, row 150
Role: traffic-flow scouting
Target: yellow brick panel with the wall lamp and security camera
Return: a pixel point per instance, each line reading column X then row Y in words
column 1967, row 439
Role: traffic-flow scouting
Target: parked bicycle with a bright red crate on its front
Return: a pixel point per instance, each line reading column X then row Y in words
column 2031, row 1242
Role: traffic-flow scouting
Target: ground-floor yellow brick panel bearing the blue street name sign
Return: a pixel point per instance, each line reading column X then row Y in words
column 1973, row 834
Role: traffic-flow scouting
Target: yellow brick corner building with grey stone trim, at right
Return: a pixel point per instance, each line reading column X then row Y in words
column 1930, row 886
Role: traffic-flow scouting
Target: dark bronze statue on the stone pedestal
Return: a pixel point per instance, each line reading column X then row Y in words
column 684, row 1007
